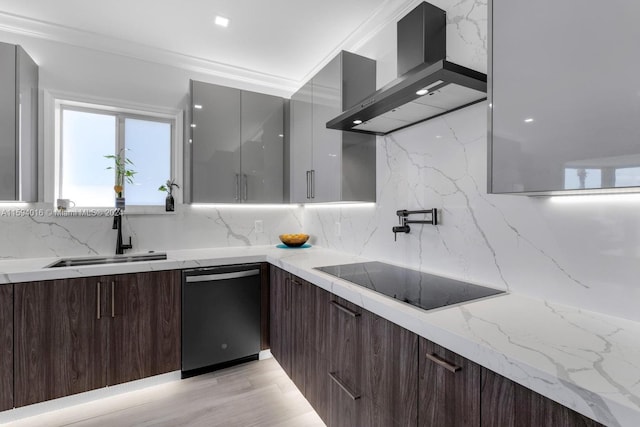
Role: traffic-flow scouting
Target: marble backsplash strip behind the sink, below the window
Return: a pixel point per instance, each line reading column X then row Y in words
column 37, row 234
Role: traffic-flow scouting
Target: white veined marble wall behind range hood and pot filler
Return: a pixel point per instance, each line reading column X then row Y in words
column 582, row 251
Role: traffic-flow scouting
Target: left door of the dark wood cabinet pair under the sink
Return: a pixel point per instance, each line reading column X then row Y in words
column 60, row 338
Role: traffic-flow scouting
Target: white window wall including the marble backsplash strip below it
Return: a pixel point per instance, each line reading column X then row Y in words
column 93, row 74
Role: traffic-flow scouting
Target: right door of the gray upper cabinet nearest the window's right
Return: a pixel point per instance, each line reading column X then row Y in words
column 262, row 155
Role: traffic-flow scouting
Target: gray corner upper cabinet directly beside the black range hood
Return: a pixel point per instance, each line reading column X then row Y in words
column 328, row 165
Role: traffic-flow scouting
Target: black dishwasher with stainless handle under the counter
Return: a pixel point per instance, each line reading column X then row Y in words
column 220, row 317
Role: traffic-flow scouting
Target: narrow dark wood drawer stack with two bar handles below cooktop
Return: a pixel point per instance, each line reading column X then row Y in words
column 345, row 363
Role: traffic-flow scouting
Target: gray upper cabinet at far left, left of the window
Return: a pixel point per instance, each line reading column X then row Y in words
column 18, row 125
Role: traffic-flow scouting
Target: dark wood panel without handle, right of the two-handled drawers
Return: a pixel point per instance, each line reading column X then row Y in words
column 389, row 378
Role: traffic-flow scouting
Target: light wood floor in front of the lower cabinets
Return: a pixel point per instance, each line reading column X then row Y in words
column 254, row 394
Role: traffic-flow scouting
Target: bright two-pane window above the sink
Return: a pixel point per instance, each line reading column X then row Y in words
column 87, row 134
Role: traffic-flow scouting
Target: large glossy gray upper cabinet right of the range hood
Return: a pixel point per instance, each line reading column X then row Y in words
column 564, row 96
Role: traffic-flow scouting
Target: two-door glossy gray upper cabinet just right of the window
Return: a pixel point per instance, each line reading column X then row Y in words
column 237, row 145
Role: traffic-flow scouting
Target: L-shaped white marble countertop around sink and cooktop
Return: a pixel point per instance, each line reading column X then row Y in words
column 587, row 361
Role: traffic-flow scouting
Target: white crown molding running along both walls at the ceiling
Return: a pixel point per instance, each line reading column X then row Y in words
column 388, row 12
